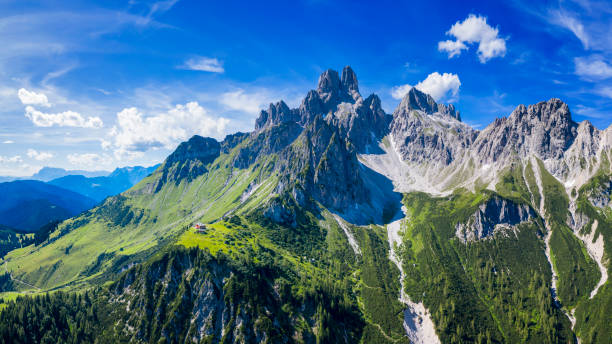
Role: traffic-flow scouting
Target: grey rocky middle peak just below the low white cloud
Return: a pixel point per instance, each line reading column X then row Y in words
column 423, row 131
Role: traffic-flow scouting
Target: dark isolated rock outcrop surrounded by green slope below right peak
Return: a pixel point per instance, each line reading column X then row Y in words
column 496, row 214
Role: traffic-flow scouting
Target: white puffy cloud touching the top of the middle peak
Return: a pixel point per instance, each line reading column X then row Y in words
column 440, row 86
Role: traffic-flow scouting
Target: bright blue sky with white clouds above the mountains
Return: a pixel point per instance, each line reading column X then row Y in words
column 100, row 84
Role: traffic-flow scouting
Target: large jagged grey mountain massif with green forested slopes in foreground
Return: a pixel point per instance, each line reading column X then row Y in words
column 337, row 222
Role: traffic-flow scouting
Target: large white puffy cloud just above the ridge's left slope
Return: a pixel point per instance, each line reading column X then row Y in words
column 134, row 133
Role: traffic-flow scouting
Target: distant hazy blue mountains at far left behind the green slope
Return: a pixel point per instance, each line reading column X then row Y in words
column 26, row 205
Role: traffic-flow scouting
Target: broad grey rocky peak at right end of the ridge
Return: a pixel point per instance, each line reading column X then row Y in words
column 545, row 130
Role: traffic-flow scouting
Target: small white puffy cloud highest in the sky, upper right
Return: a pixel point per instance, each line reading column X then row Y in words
column 474, row 29
